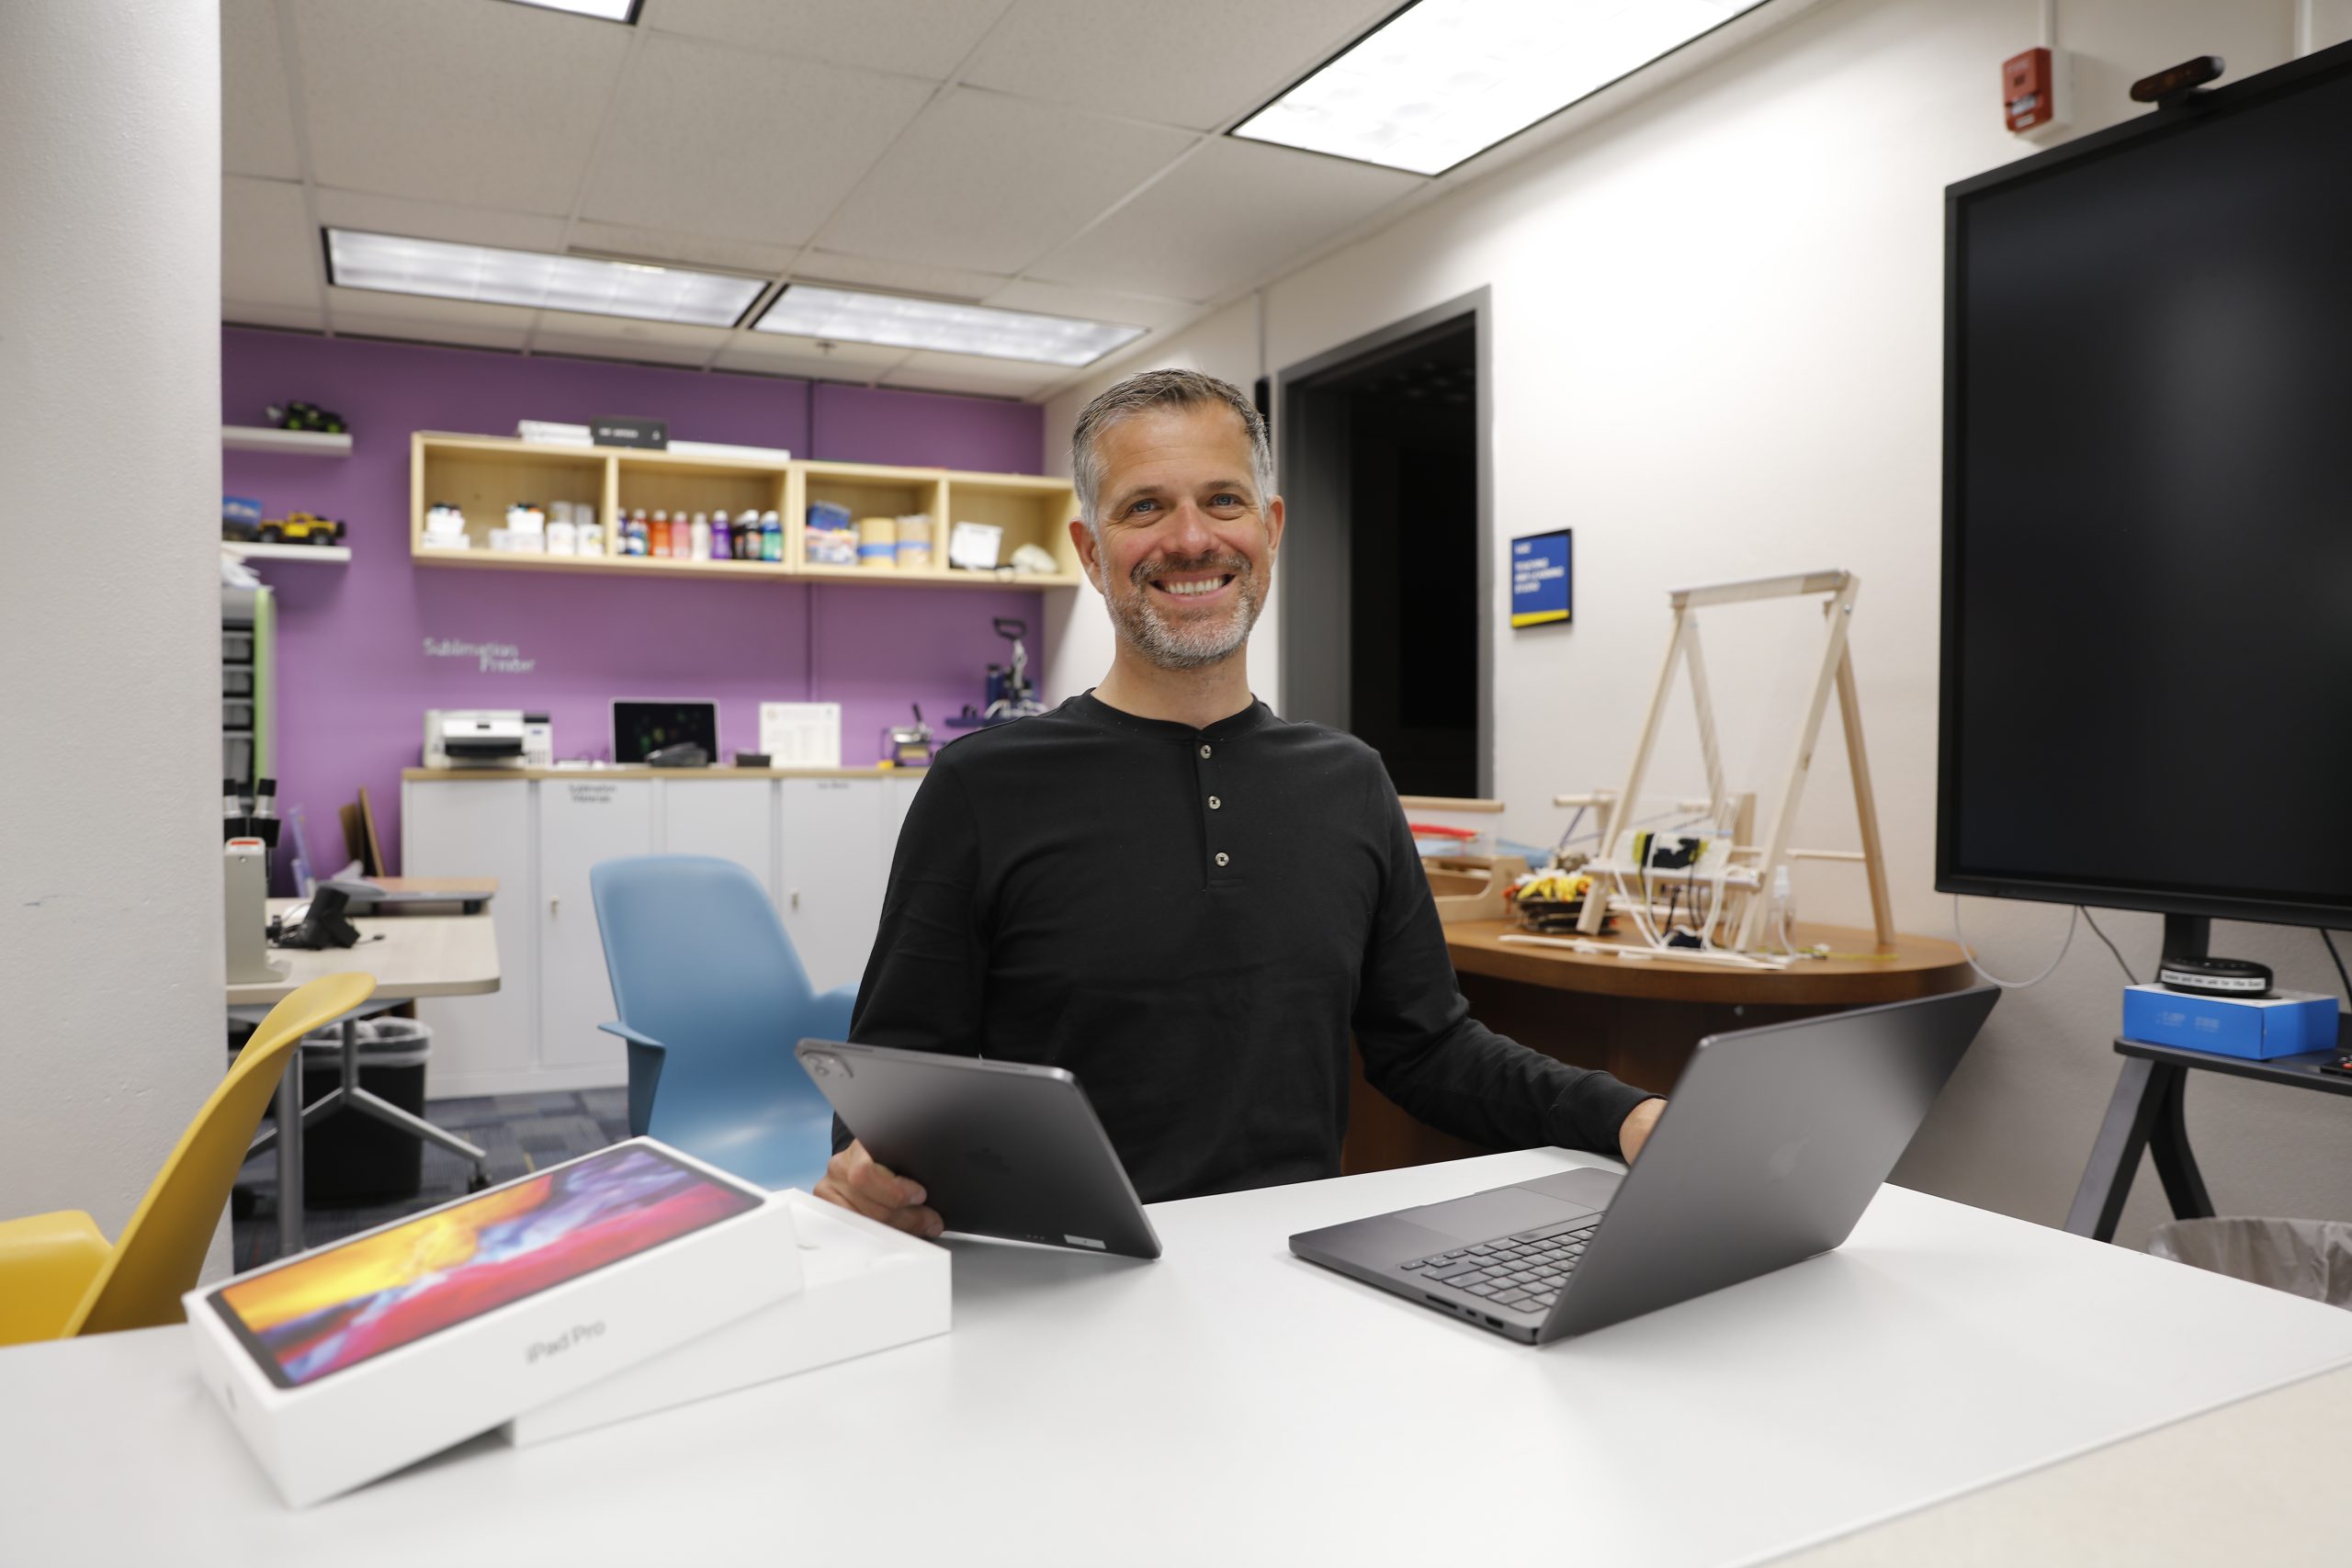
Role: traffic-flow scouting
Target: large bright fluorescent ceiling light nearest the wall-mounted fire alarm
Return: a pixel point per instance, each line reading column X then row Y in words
column 1448, row 79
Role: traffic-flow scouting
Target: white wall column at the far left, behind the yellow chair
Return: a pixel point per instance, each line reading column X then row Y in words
column 109, row 596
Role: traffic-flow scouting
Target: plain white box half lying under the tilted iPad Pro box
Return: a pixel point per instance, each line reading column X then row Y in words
column 864, row 1287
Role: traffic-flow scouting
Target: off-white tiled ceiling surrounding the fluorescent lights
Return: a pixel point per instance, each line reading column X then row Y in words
column 1060, row 156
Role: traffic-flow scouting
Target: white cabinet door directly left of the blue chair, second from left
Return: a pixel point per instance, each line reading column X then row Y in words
column 580, row 824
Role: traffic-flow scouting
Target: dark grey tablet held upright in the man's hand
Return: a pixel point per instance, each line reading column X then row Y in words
column 1001, row 1148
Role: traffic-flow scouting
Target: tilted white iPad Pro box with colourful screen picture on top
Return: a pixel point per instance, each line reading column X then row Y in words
column 368, row 1355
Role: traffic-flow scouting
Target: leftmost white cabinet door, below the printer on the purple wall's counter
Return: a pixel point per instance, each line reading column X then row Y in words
column 481, row 1045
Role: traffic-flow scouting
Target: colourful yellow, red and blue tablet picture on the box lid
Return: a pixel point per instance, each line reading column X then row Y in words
column 349, row 1304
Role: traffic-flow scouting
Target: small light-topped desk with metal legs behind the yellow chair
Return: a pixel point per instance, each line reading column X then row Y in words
column 410, row 956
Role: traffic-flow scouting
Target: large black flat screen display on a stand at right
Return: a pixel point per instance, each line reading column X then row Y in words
column 2149, row 514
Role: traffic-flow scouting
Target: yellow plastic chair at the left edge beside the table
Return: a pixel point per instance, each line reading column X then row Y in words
column 58, row 1275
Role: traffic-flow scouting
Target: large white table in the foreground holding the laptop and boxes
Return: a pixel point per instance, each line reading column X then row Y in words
column 1231, row 1405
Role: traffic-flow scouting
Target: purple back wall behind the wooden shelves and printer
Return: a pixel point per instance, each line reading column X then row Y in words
column 354, row 678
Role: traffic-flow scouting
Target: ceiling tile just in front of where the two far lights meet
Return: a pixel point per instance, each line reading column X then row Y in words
column 751, row 147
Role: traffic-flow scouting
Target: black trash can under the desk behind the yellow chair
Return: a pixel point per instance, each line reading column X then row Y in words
column 352, row 1160
